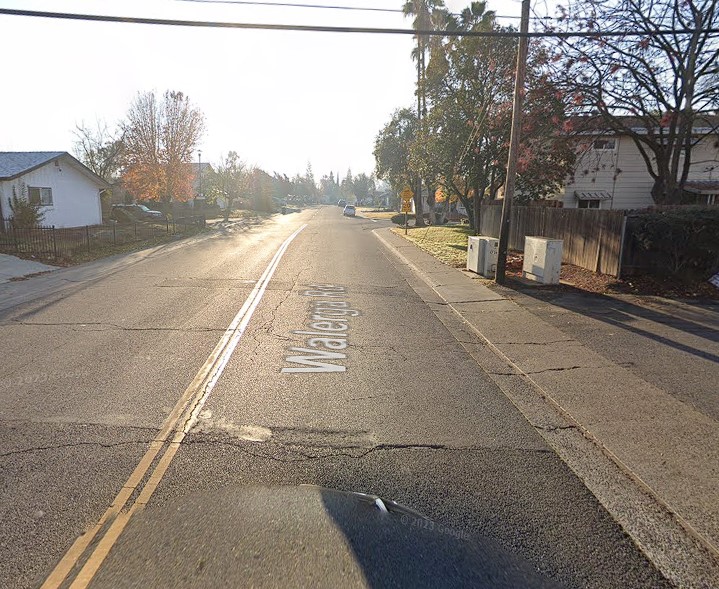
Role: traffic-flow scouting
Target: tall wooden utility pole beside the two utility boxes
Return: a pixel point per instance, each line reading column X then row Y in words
column 513, row 145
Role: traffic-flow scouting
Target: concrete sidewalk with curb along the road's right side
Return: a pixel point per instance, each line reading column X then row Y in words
column 649, row 458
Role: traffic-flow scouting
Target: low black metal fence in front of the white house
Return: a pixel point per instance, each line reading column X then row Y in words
column 52, row 243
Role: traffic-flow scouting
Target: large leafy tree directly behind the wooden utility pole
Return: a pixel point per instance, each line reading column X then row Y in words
column 463, row 145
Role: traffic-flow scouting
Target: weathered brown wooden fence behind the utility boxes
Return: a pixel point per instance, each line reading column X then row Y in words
column 592, row 238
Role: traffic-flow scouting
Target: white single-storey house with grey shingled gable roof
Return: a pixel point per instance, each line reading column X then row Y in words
column 67, row 191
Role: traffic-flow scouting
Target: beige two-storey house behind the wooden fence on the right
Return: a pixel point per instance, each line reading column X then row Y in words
column 610, row 172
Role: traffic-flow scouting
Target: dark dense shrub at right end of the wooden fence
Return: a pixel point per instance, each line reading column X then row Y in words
column 686, row 239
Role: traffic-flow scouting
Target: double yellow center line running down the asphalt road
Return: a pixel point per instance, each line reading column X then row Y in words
column 174, row 429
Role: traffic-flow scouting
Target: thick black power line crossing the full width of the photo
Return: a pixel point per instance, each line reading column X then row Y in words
column 334, row 29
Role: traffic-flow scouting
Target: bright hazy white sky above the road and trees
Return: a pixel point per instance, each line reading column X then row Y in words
column 279, row 99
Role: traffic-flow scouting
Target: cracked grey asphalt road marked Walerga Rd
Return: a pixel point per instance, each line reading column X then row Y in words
column 92, row 371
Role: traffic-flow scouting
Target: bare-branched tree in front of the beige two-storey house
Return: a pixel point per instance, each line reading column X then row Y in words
column 650, row 72
